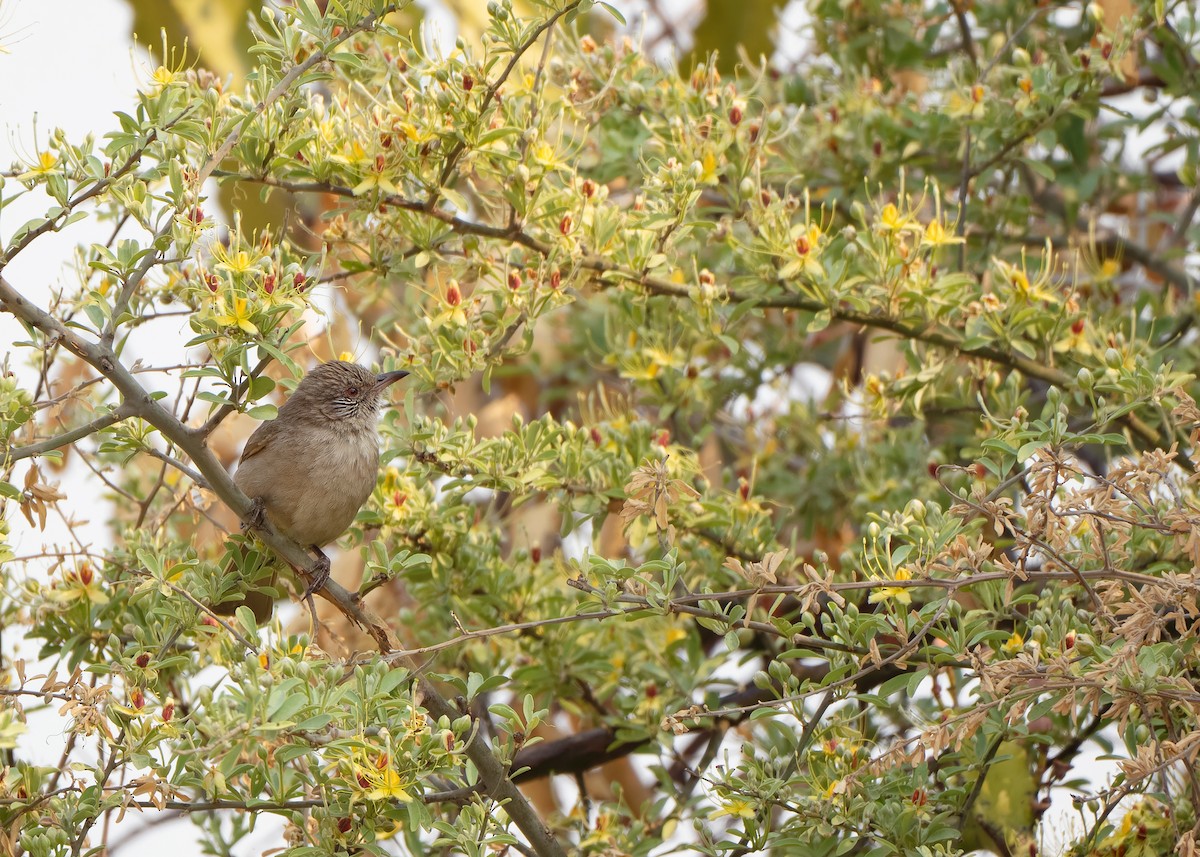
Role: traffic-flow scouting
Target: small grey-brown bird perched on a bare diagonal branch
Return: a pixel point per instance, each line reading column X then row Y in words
column 311, row 469
